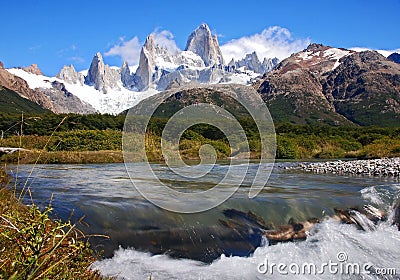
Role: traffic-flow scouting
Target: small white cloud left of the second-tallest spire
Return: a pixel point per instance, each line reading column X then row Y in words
column 128, row 50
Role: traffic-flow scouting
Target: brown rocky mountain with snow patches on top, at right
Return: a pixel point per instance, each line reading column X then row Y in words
column 324, row 84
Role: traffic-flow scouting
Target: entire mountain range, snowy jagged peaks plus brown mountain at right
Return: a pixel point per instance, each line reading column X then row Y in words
column 320, row 84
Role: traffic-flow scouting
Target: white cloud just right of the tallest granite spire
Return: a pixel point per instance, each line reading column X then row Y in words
column 272, row 42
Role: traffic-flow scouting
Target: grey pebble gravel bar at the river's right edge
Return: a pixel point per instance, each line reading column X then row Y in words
column 373, row 167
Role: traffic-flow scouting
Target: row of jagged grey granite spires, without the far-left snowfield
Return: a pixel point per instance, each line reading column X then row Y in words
column 201, row 62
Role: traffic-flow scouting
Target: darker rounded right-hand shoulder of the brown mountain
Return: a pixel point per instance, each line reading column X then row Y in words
column 365, row 88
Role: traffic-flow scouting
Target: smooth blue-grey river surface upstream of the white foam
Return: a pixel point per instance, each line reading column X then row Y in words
column 104, row 194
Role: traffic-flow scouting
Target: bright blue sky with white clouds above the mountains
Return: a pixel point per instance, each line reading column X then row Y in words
column 57, row 33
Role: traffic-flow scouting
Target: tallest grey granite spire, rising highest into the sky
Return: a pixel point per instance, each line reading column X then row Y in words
column 203, row 43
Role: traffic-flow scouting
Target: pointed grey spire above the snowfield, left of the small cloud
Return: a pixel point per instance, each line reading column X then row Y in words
column 102, row 76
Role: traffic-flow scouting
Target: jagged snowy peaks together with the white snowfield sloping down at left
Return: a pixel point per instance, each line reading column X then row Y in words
column 111, row 89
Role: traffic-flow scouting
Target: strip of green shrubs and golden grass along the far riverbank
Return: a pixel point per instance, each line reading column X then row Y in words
column 106, row 146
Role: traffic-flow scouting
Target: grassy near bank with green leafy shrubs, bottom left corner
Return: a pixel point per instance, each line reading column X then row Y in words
column 33, row 246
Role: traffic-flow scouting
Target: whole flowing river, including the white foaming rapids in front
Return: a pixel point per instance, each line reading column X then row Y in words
column 113, row 207
